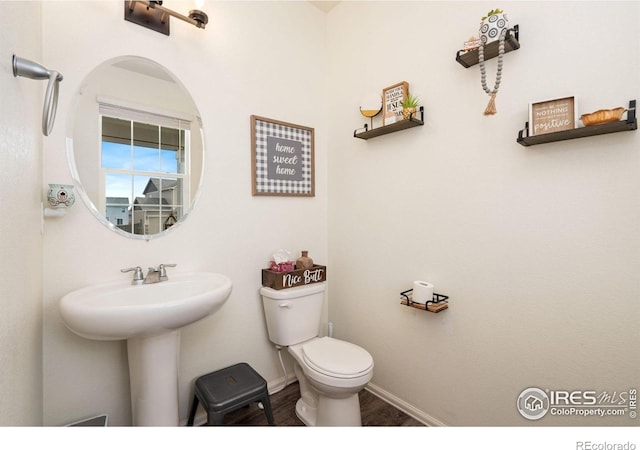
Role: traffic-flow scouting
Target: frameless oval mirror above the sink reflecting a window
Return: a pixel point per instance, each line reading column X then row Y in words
column 135, row 147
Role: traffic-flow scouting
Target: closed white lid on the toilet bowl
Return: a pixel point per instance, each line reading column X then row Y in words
column 336, row 358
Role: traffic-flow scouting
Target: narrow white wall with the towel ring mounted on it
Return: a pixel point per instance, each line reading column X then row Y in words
column 21, row 241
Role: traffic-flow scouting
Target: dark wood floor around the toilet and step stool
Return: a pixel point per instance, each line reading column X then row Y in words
column 375, row 411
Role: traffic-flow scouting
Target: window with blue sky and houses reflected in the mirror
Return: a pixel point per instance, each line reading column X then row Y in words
column 144, row 170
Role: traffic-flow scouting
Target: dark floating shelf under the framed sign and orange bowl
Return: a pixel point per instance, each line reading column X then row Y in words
column 594, row 130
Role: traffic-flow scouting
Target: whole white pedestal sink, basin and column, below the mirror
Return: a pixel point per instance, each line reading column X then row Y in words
column 149, row 317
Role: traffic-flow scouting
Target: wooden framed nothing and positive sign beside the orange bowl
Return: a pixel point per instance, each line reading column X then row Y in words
column 551, row 116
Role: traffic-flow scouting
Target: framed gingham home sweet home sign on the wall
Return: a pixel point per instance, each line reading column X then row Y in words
column 281, row 158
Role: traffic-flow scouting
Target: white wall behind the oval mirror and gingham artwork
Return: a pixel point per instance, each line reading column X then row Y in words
column 258, row 58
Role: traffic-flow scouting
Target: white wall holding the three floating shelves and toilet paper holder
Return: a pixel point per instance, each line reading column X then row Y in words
column 538, row 248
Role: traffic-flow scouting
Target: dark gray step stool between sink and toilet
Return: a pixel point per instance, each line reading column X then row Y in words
column 227, row 390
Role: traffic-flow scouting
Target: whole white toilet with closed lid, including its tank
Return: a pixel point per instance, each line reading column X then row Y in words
column 330, row 372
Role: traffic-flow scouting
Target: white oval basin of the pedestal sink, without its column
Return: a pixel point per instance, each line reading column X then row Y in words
column 119, row 310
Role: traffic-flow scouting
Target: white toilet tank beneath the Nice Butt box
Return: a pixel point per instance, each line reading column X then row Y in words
column 293, row 315
